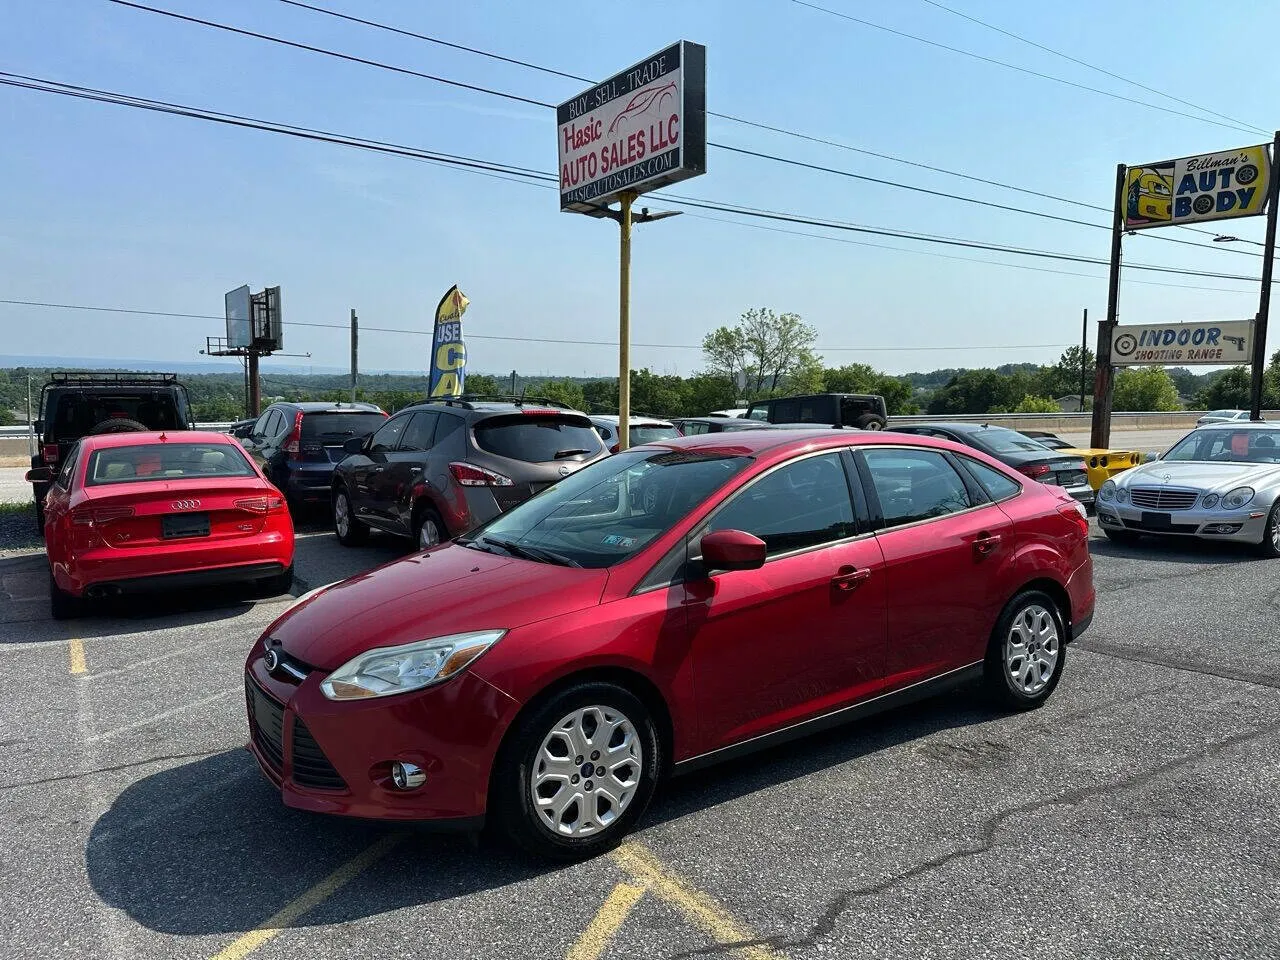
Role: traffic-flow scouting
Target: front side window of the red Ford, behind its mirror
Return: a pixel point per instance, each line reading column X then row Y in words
column 804, row 504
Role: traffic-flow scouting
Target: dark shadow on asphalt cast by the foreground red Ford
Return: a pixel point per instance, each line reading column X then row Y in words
column 207, row 848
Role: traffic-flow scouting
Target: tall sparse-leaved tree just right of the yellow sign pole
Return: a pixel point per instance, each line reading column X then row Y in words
column 764, row 349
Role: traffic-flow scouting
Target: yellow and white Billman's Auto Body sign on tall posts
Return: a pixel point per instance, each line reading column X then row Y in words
column 1206, row 188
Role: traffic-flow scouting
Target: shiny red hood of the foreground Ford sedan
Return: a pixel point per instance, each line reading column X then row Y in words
column 447, row 591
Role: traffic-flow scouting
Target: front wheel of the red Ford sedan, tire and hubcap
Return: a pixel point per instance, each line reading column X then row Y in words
column 564, row 729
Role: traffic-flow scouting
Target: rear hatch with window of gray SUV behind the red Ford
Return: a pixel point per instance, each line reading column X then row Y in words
column 534, row 450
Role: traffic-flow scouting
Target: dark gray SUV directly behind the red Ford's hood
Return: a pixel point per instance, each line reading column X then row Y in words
column 438, row 469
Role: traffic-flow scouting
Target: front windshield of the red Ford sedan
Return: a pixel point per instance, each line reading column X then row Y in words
column 610, row 511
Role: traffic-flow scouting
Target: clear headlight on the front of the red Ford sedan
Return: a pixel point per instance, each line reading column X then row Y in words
column 397, row 670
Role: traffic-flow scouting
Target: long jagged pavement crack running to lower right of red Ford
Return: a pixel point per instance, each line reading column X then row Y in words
column 845, row 900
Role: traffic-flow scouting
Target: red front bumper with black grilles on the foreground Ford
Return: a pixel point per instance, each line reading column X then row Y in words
column 336, row 758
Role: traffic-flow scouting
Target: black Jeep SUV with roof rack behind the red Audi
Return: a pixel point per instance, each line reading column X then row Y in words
column 75, row 405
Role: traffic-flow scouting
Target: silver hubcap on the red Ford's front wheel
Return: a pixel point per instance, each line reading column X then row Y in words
column 587, row 772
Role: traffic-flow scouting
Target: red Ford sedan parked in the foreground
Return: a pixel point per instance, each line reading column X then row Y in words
column 550, row 668
